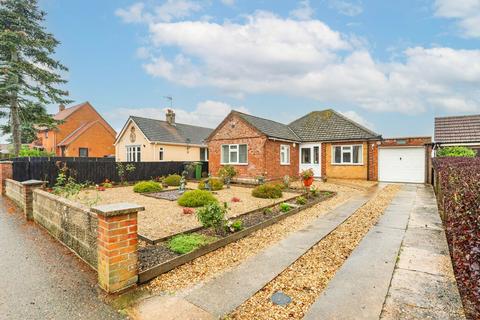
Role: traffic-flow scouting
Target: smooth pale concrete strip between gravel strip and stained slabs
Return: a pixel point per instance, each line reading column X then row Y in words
column 359, row 287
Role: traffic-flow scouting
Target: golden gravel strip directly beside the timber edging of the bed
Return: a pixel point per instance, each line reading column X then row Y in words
column 214, row 263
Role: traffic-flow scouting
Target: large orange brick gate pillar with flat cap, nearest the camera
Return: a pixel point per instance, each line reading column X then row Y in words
column 117, row 244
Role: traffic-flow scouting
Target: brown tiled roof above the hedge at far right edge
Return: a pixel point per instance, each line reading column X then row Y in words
column 457, row 129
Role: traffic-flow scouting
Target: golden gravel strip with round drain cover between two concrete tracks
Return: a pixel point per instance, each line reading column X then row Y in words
column 317, row 266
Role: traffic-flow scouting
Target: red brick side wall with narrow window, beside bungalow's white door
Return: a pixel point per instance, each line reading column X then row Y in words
column 273, row 167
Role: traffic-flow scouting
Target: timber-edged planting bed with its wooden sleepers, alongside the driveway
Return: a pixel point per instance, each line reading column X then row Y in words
column 157, row 259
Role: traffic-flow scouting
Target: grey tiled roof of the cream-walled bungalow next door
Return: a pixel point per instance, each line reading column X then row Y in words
column 162, row 131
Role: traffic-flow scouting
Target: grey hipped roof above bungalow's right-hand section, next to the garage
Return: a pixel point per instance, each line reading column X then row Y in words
column 329, row 125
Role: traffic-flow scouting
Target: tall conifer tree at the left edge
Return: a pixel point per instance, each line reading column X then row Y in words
column 30, row 77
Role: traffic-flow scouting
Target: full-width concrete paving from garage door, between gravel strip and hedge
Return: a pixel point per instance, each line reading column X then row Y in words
column 384, row 278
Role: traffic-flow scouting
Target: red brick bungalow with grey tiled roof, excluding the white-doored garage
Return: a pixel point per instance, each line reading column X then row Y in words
column 327, row 142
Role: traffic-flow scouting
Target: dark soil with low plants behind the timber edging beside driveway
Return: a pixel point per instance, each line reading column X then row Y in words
column 154, row 255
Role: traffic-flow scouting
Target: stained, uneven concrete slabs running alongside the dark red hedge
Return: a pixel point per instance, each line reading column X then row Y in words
column 423, row 284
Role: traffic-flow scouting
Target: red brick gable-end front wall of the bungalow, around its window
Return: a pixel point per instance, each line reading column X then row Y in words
column 235, row 131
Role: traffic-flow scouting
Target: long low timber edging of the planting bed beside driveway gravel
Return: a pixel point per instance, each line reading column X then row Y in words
column 151, row 273
